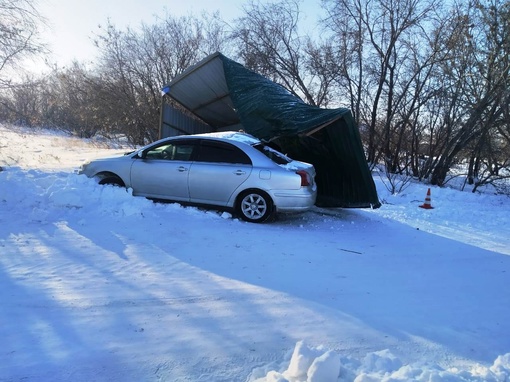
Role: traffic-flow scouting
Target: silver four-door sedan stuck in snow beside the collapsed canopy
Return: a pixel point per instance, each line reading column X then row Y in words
column 231, row 170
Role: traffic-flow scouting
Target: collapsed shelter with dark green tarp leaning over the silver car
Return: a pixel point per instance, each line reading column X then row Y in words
column 224, row 94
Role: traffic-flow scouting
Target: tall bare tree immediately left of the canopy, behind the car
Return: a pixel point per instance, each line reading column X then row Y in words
column 136, row 64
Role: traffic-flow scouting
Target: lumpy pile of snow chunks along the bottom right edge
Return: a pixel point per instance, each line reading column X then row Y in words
column 308, row 364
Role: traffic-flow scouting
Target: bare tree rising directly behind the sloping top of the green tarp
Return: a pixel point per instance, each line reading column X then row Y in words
column 268, row 41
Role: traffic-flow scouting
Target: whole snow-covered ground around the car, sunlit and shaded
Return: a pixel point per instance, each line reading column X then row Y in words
column 98, row 285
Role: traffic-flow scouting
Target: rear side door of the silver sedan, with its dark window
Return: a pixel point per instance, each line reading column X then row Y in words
column 218, row 170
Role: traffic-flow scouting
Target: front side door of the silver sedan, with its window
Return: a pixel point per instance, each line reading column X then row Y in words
column 163, row 171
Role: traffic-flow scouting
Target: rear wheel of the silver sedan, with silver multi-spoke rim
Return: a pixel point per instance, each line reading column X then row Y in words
column 254, row 206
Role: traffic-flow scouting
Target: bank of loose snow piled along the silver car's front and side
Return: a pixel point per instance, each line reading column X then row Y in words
column 46, row 197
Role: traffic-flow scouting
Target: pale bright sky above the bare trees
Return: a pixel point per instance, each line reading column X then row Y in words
column 73, row 23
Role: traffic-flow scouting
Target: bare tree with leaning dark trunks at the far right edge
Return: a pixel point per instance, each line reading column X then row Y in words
column 476, row 88
